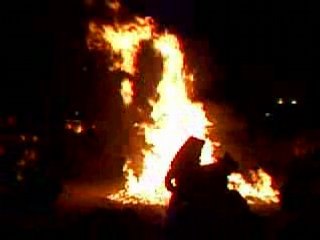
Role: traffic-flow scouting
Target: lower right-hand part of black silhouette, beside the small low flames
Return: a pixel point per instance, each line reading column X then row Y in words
column 217, row 208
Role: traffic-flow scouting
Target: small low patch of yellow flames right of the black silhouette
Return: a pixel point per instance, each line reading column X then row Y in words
column 260, row 191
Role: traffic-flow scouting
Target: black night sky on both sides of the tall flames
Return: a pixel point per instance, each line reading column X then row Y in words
column 257, row 43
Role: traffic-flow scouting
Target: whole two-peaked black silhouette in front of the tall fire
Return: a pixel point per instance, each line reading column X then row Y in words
column 201, row 205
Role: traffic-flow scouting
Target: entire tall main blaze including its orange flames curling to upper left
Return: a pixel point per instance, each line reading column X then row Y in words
column 174, row 116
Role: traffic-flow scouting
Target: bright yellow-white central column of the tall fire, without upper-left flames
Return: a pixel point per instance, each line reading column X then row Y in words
column 175, row 119
